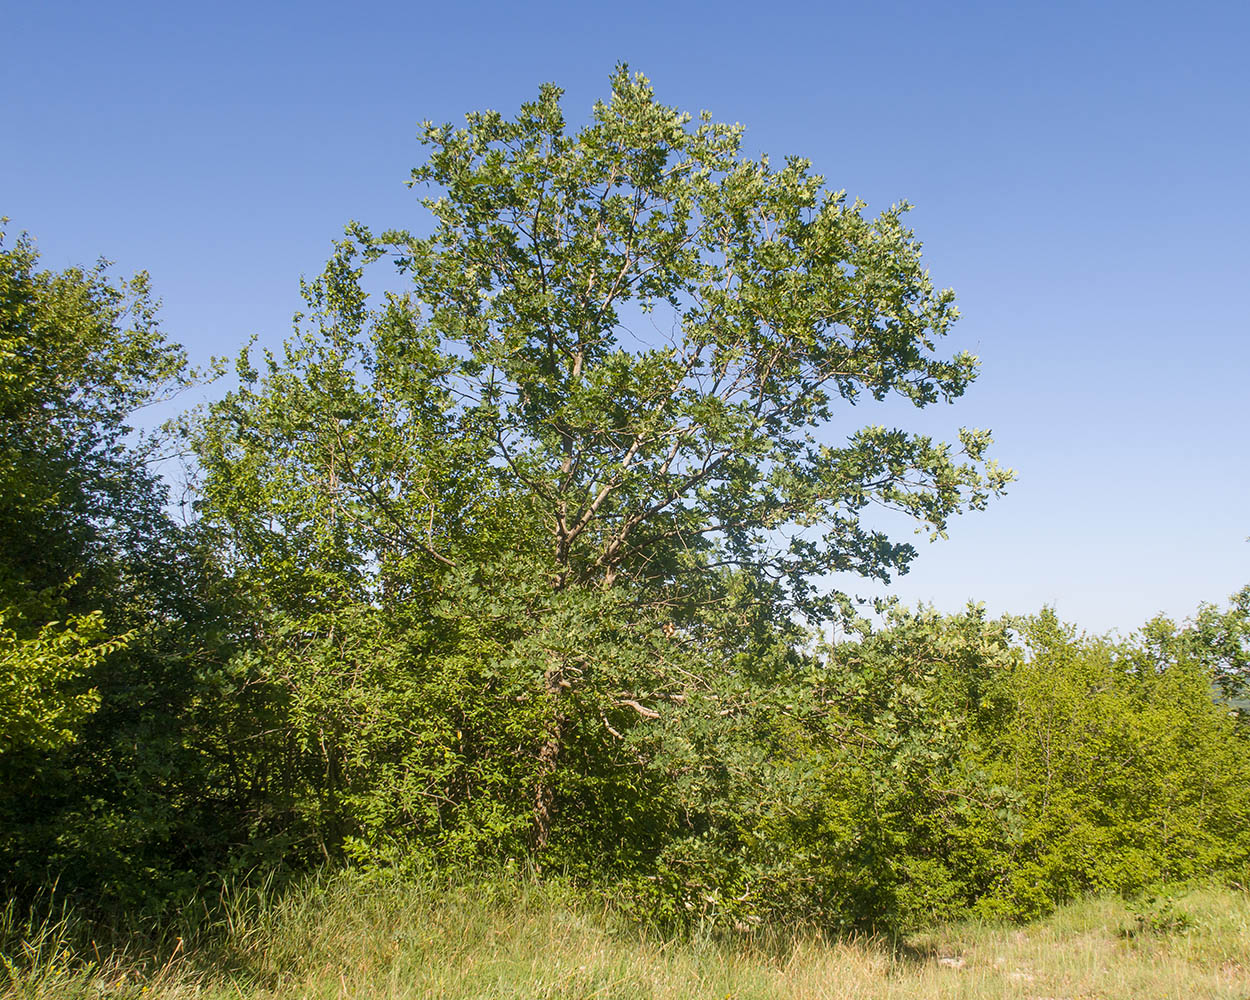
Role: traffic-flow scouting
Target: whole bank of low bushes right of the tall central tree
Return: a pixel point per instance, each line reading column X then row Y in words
column 938, row 766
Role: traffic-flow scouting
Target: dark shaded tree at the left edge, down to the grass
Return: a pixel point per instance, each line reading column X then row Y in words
column 114, row 747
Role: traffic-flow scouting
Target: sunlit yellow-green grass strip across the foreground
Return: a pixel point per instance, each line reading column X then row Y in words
column 347, row 939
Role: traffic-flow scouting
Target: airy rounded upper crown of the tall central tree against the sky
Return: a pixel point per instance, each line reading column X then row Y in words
column 648, row 339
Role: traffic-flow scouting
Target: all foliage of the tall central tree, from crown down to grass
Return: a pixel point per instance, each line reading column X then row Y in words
column 482, row 489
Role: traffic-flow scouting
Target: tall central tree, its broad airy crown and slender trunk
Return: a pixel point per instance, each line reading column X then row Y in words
column 633, row 343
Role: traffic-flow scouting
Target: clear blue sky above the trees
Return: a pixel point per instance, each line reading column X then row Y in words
column 1079, row 173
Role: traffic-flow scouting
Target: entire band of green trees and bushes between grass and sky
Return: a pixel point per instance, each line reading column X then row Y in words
column 529, row 564
